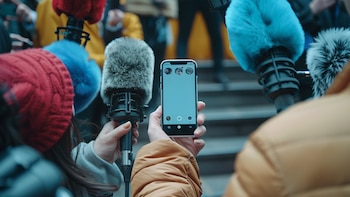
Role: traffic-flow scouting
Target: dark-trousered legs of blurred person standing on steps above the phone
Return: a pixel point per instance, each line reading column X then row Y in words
column 213, row 21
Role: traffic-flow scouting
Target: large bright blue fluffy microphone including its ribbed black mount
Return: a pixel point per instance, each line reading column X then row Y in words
column 266, row 38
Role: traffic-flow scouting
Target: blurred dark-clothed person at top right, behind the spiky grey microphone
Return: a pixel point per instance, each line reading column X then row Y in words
column 314, row 16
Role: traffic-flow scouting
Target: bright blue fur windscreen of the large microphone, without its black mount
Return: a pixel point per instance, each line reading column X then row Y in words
column 255, row 26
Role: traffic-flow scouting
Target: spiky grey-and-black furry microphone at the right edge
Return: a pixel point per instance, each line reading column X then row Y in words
column 327, row 56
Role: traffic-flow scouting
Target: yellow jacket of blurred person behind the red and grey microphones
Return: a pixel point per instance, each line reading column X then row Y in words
column 48, row 21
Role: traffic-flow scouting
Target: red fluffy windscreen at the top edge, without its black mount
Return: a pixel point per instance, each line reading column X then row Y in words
column 90, row 10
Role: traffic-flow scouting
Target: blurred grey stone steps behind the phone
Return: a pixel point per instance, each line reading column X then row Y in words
column 232, row 113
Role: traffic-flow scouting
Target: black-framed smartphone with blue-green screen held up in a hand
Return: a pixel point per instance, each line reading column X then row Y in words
column 179, row 96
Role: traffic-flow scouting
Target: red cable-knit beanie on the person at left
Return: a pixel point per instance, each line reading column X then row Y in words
column 44, row 91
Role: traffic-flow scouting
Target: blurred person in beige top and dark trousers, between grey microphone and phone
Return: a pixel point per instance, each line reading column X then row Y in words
column 154, row 15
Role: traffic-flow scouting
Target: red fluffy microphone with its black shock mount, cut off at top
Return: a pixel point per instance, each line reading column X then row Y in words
column 78, row 11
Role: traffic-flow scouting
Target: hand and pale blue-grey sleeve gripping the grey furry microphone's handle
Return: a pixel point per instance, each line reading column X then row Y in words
column 99, row 156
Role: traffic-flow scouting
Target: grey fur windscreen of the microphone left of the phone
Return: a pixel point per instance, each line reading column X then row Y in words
column 129, row 64
